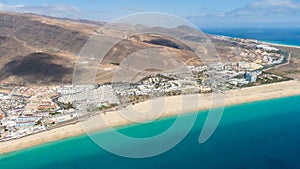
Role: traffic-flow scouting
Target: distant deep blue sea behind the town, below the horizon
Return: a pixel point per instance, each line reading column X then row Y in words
column 285, row 36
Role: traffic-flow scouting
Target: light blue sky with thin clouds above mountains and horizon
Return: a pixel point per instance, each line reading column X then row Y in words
column 203, row 13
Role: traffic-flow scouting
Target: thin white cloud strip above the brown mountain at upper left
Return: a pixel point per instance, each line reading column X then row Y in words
column 49, row 10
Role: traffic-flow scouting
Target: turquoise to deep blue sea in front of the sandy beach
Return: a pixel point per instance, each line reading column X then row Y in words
column 258, row 135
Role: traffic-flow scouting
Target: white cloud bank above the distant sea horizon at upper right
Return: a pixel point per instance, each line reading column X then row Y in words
column 258, row 13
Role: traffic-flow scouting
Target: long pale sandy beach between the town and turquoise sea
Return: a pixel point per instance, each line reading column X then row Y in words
column 172, row 108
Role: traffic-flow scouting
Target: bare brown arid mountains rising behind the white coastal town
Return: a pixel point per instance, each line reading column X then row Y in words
column 43, row 50
